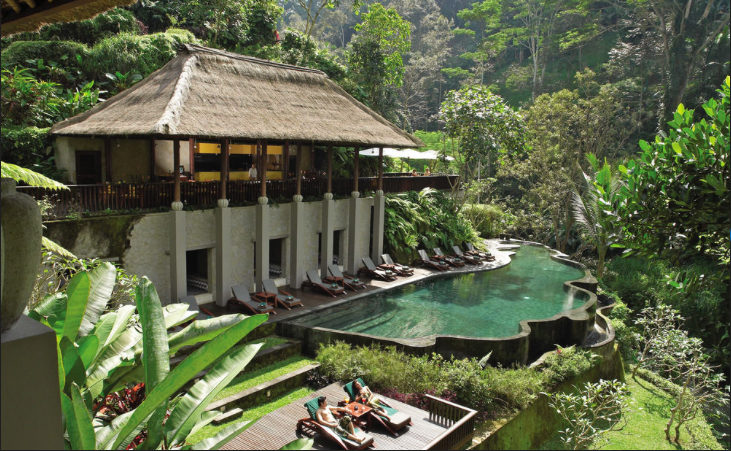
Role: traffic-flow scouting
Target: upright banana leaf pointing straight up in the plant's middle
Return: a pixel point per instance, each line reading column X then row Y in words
column 156, row 362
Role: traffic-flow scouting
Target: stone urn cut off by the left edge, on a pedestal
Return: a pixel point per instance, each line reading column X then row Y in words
column 21, row 234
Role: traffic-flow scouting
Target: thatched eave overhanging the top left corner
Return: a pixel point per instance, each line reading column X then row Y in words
column 30, row 15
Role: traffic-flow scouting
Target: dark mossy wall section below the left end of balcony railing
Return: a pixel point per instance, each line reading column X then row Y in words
column 103, row 237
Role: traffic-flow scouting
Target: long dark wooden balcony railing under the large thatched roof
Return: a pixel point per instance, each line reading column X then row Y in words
column 145, row 196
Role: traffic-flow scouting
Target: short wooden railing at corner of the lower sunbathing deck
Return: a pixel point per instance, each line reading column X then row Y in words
column 460, row 421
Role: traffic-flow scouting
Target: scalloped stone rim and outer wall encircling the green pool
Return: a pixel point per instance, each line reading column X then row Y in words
column 517, row 348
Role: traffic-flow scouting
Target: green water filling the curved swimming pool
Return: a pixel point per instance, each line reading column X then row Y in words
column 484, row 304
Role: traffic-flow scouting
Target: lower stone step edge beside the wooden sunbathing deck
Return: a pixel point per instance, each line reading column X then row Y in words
column 265, row 391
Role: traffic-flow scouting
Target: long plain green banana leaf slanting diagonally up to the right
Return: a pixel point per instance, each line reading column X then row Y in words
column 196, row 362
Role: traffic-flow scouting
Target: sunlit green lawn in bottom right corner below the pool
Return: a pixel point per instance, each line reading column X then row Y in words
column 646, row 423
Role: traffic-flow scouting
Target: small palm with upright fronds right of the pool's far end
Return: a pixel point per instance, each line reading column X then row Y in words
column 595, row 211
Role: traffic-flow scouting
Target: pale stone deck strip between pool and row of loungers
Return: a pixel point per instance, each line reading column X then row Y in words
column 314, row 299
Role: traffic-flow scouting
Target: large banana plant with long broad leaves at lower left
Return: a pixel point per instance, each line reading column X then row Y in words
column 99, row 354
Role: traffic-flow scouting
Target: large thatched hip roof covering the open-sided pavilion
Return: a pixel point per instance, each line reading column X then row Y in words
column 207, row 93
